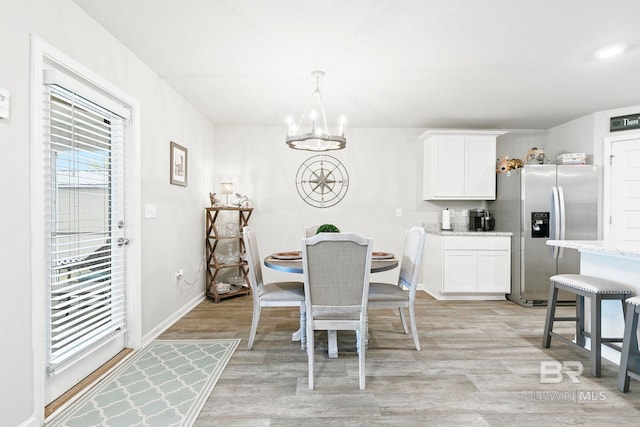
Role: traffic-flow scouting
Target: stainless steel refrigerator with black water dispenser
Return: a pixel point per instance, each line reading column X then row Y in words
column 541, row 202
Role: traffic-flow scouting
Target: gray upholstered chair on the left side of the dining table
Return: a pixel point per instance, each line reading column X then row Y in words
column 275, row 294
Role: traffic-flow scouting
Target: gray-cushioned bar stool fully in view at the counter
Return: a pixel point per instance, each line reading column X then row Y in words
column 597, row 290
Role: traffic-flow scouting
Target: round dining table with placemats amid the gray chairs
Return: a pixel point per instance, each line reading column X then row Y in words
column 291, row 262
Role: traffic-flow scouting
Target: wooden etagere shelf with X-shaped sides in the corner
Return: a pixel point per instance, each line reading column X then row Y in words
column 219, row 261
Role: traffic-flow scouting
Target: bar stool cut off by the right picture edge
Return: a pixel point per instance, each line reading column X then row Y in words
column 630, row 359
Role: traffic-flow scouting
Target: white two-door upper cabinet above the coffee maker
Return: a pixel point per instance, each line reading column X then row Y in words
column 460, row 164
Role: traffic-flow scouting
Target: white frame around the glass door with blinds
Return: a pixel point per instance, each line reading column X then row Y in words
column 41, row 52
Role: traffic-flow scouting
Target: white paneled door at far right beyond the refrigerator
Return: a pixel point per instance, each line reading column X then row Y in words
column 624, row 190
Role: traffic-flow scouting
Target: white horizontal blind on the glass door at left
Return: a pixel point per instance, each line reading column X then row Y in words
column 84, row 147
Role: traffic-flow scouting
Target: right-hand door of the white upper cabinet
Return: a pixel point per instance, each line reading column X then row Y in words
column 480, row 167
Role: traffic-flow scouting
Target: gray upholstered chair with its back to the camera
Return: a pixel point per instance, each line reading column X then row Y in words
column 337, row 267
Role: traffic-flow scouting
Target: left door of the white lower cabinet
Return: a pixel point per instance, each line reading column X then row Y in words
column 460, row 273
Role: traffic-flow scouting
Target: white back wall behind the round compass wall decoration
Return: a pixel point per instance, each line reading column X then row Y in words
column 382, row 166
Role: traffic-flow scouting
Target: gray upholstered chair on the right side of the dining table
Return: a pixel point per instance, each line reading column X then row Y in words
column 402, row 295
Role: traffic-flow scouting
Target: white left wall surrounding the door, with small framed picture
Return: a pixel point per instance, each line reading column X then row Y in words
column 172, row 240
